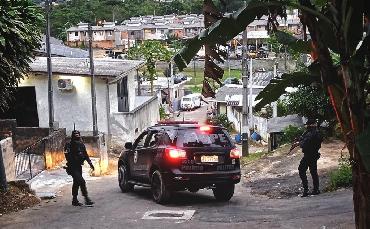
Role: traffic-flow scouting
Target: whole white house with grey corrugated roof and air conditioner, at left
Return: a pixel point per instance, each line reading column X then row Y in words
column 121, row 114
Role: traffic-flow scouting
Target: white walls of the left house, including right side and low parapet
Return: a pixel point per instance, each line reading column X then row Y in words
column 75, row 106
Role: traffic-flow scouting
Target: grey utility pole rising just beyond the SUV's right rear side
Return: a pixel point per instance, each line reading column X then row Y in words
column 244, row 131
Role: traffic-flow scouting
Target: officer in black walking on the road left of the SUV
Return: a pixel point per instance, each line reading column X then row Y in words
column 76, row 155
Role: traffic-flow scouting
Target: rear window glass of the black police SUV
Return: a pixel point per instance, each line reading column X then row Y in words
column 194, row 137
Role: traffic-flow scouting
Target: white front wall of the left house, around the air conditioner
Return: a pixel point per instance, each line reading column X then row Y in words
column 70, row 106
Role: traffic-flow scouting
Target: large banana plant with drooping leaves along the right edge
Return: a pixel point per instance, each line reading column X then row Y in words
column 335, row 26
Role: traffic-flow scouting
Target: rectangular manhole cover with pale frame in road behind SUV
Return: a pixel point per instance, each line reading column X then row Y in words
column 169, row 214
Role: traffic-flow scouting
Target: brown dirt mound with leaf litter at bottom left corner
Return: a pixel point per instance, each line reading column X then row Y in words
column 18, row 197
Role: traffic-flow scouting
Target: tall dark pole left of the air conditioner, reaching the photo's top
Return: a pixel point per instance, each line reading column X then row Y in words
column 49, row 69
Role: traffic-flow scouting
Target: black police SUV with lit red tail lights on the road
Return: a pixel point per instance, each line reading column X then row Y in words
column 175, row 156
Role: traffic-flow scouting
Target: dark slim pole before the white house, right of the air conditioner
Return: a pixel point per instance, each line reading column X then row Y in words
column 92, row 75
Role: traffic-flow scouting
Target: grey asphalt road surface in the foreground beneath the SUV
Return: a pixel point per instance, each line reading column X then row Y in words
column 114, row 209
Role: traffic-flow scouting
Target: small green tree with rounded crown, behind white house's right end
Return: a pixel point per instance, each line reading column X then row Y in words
column 151, row 52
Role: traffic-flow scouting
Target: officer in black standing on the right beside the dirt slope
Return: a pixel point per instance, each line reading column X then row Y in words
column 310, row 142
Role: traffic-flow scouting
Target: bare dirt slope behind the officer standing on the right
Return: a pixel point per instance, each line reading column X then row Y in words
column 275, row 175
